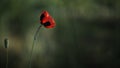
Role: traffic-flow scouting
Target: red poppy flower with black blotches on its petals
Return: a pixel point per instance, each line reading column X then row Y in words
column 47, row 20
